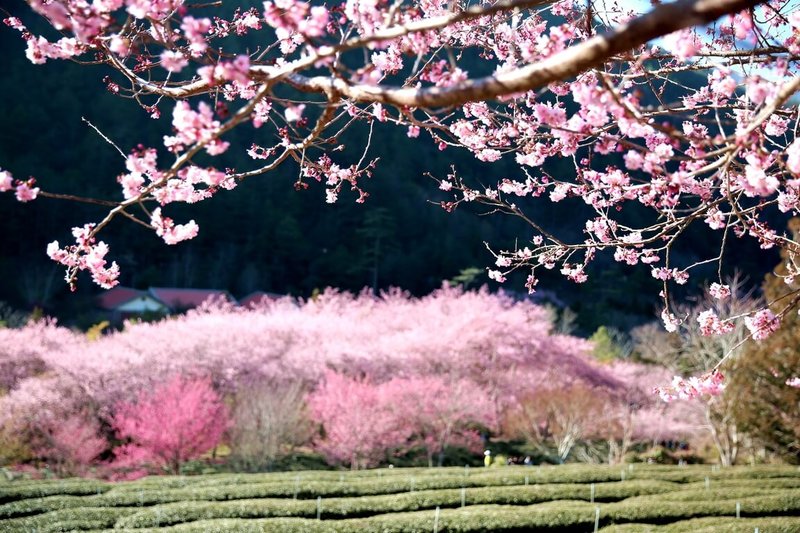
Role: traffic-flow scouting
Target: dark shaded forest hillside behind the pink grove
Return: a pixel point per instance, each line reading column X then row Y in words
column 264, row 235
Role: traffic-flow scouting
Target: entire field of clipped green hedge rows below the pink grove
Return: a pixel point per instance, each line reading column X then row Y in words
column 569, row 498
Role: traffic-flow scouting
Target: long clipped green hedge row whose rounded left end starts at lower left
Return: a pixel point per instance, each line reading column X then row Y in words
column 371, row 505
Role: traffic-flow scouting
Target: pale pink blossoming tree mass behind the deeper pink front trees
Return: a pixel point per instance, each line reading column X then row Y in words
column 498, row 343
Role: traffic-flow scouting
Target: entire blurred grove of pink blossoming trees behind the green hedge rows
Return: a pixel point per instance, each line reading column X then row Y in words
column 379, row 375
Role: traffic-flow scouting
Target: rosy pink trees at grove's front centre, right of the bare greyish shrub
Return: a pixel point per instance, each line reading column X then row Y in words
column 364, row 423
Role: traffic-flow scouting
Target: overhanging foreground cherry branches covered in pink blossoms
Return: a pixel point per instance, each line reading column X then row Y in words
column 682, row 109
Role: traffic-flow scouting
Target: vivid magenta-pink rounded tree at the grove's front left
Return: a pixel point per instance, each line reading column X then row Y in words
column 179, row 420
